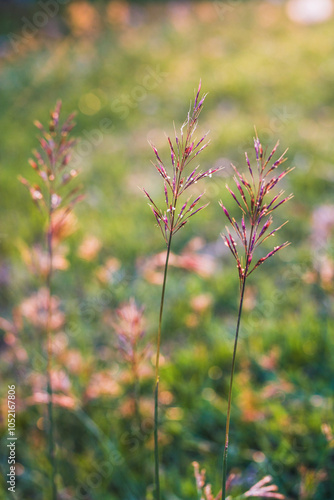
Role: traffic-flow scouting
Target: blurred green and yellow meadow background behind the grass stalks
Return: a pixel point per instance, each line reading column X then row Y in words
column 130, row 70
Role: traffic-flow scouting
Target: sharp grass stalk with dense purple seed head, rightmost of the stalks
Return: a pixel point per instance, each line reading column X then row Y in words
column 252, row 231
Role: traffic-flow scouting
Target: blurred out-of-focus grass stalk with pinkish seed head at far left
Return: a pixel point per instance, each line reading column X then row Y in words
column 51, row 164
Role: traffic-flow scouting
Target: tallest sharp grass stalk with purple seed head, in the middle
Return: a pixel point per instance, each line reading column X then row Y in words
column 183, row 151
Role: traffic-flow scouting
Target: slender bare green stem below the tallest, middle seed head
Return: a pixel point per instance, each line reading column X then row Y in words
column 156, row 391
